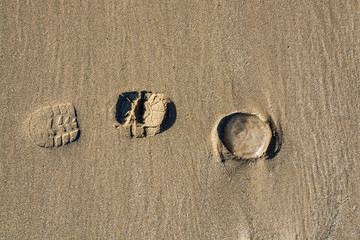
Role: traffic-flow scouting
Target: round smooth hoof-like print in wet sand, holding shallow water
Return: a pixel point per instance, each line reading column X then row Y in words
column 244, row 136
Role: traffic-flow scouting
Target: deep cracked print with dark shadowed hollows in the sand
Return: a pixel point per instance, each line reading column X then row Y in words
column 143, row 113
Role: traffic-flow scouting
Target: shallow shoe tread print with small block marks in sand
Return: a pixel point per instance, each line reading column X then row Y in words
column 54, row 126
